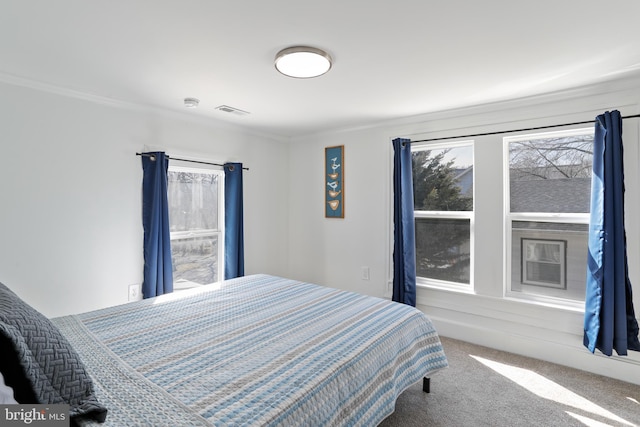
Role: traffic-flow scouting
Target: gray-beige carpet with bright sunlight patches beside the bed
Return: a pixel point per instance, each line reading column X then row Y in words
column 486, row 387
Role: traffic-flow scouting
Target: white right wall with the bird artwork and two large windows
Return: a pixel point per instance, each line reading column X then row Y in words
column 332, row 251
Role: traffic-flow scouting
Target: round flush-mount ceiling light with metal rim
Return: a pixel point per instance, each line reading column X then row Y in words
column 303, row 62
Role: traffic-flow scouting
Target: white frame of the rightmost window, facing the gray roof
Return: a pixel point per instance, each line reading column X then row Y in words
column 546, row 217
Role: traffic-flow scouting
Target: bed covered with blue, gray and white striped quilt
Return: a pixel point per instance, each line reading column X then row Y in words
column 257, row 350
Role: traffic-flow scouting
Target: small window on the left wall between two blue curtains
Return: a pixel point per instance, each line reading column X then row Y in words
column 196, row 225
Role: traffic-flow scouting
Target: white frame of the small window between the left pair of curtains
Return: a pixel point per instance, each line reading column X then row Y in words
column 219, row 232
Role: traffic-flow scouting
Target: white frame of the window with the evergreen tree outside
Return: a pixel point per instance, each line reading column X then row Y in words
column 456, row 215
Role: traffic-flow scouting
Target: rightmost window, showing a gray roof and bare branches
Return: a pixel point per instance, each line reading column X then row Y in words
column 549, row 193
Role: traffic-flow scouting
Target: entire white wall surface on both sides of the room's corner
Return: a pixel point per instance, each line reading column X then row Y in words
column 71, row 233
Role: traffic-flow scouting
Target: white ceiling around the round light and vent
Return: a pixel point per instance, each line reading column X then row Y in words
column 392, row 58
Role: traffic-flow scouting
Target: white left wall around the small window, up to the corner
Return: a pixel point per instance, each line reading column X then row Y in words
column 70, row 194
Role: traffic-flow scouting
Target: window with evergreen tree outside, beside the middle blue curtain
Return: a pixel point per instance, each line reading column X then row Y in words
column 443, row 204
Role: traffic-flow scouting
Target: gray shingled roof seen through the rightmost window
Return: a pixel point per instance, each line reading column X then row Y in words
column 551, row 195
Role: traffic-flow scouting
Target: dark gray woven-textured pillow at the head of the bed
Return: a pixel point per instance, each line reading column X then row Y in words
column 51, row 368
